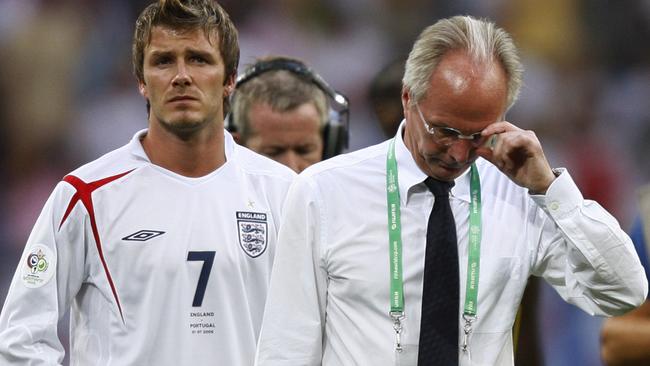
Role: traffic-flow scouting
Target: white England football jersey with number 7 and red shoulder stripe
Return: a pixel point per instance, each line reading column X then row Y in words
column 157, row 268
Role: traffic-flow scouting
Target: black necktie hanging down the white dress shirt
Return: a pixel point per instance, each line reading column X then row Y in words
column 440, row 291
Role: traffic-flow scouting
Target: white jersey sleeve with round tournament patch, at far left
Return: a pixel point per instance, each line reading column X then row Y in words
column 49, row 274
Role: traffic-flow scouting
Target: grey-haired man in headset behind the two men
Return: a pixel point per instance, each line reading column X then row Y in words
column 280, row 109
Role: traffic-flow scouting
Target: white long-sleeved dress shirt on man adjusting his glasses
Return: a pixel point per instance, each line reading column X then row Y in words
column 329, row 297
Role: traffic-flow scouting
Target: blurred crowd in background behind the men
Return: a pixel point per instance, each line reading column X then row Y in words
column 67, row 95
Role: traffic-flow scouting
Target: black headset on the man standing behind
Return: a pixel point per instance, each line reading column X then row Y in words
column 336, row 129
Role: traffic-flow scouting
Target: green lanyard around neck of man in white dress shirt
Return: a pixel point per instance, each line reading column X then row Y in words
column 395, row 249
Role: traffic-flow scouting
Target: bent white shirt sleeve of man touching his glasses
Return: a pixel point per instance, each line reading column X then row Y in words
column 585, row 255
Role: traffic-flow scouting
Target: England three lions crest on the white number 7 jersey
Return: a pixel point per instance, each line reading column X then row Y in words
column 253, row 233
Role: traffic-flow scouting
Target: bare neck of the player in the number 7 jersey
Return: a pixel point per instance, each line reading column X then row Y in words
column 194, row 155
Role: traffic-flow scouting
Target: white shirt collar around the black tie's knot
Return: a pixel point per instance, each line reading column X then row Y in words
column 411, row 178
